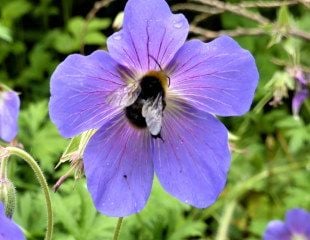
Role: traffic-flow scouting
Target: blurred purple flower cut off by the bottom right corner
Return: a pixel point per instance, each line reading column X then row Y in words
column 295, row 227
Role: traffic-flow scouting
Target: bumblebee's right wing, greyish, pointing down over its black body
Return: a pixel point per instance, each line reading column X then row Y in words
column 152, row 111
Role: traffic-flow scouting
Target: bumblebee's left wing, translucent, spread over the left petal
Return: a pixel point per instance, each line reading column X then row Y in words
column 124, row 97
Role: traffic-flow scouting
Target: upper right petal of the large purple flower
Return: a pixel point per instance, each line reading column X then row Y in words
column 217, row 77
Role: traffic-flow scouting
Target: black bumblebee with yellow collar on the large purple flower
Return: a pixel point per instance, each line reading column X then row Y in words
column 144, row 101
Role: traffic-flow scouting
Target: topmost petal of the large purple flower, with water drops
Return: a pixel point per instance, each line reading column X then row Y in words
column 149, row 31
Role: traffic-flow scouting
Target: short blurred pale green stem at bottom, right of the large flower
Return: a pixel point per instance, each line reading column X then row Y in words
column 225, row 221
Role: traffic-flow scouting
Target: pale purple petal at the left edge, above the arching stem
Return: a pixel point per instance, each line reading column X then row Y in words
column 9, row 109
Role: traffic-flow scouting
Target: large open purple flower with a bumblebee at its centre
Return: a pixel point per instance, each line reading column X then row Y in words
column 152, row 97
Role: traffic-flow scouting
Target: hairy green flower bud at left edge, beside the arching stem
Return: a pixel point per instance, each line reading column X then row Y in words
column 7, row 196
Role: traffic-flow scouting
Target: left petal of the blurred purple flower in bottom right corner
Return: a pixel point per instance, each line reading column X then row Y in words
column 276, row 230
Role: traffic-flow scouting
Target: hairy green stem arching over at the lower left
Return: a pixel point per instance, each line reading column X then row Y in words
column 38, row 172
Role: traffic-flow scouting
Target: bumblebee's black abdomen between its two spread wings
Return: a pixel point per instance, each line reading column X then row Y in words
column 134, row 114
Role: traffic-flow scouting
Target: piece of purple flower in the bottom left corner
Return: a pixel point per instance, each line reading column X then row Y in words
column 8, row 229
